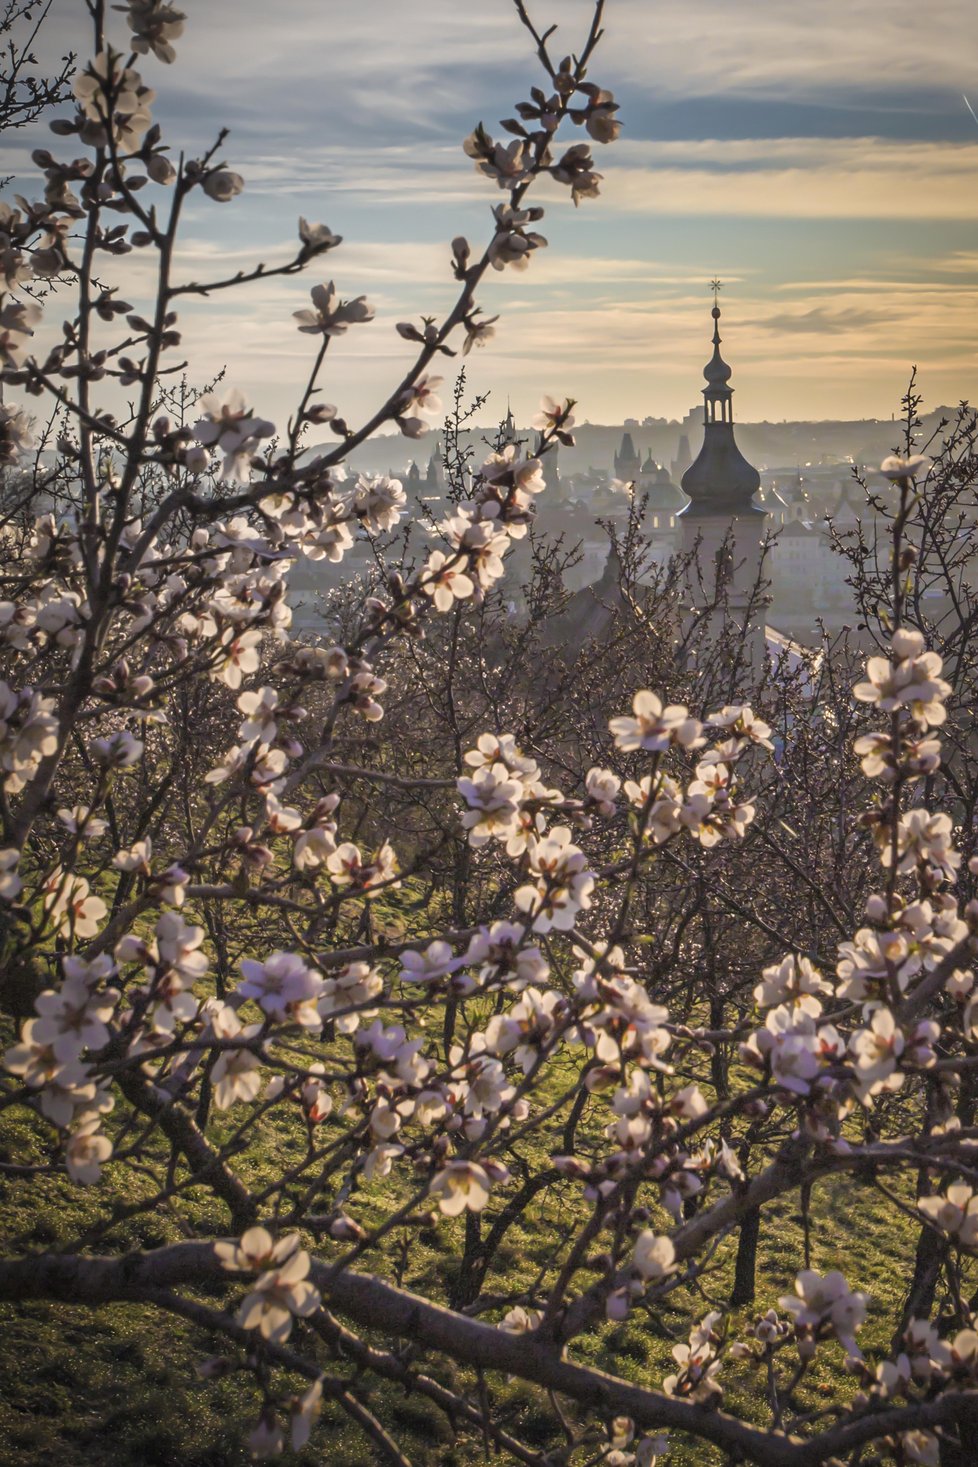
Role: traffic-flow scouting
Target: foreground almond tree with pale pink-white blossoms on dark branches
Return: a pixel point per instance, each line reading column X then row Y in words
column 446, row 1079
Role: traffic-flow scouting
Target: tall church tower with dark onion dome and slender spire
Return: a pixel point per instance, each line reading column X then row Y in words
column 722, row 526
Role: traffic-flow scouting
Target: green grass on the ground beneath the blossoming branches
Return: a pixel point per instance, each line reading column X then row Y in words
column 118, row 1387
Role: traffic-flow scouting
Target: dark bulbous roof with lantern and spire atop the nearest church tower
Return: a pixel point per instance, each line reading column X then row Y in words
column 721, row 482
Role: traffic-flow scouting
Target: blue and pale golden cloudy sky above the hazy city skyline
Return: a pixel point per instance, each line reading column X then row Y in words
column 819, row 159
